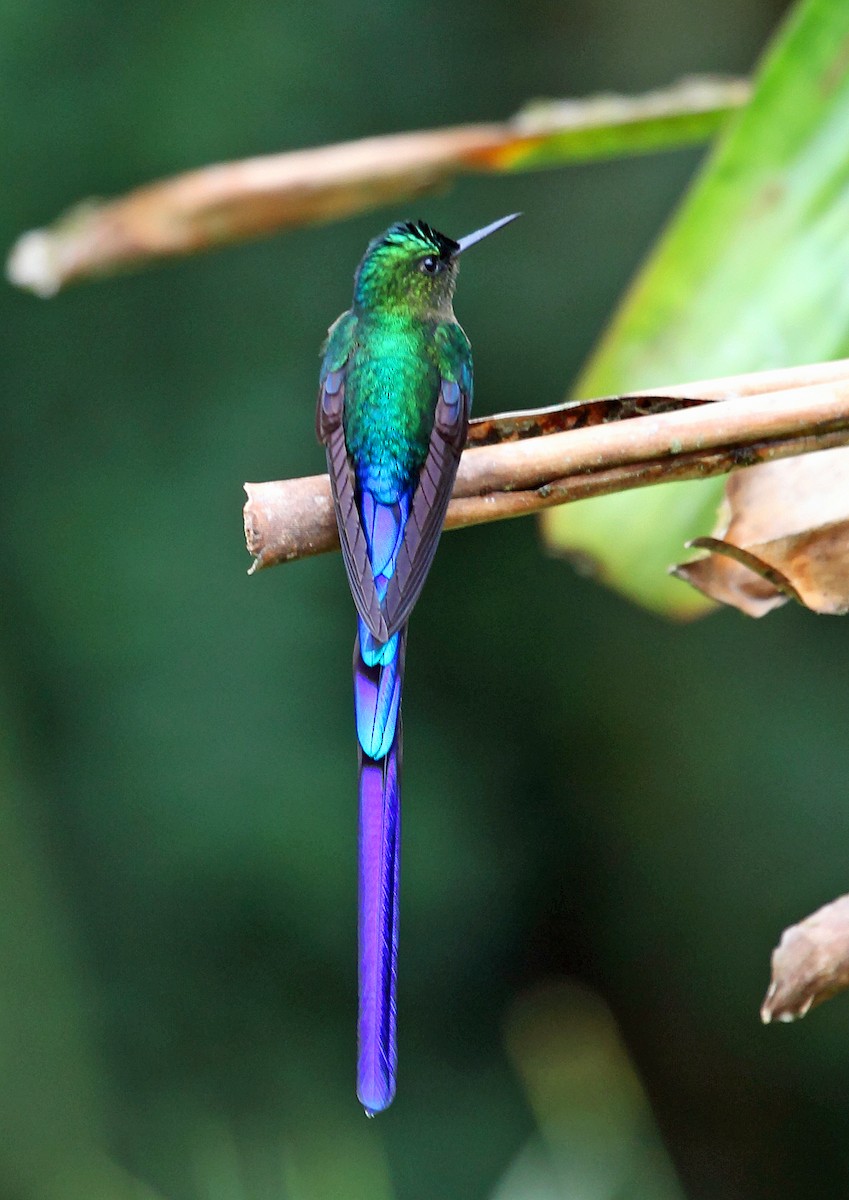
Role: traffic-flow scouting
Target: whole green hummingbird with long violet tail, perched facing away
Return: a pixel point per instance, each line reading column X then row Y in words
column 395, row 395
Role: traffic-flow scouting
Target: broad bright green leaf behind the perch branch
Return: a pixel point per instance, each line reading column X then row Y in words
column 751, row 274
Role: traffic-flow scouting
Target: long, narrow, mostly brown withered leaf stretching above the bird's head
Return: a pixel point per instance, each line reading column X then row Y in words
column 231, row 202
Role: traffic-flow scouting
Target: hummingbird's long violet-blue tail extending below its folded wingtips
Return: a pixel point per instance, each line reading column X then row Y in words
column 378, row 675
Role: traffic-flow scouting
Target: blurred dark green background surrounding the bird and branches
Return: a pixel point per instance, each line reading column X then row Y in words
column 609, row 819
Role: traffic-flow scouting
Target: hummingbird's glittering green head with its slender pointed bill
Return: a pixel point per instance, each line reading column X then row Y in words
column 413, row 268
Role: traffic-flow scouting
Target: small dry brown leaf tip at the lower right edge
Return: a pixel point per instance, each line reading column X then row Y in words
column 811, row 964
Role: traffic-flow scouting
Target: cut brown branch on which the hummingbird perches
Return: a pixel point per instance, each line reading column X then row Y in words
column 754, row 418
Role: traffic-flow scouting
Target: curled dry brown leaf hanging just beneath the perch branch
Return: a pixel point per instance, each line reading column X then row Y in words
column 784, row 533
